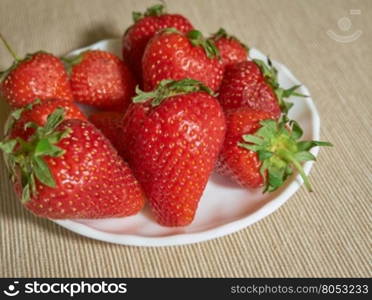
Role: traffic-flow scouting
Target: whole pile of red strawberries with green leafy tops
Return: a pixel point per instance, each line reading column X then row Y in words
column 176, row 108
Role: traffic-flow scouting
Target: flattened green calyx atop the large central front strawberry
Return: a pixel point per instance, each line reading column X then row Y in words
column 168, row 88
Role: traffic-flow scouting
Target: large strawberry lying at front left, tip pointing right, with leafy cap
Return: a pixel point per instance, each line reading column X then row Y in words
column 68, row 169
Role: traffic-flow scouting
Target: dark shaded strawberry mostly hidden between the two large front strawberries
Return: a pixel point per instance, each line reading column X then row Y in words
column 111, row 125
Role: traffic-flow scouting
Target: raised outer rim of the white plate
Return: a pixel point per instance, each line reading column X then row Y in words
column 222, row 230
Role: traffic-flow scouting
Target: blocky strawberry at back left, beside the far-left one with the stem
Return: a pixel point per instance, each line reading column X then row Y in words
column 101, row 79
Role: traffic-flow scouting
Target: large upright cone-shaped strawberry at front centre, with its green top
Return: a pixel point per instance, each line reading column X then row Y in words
column 173, row 136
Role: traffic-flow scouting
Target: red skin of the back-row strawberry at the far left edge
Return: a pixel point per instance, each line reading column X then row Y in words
column 41, row 75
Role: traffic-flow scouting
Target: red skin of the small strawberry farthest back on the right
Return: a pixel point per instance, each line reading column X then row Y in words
column 231, row 51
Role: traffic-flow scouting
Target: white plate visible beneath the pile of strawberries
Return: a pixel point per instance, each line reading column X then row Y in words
column 224, row 207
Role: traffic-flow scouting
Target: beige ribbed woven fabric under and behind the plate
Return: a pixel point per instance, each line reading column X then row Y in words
column 325, row 233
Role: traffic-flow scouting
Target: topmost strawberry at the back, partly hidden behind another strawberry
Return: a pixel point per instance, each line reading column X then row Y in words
column 144, row 28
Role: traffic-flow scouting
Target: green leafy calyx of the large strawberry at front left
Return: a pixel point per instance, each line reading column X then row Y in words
column 25, row 158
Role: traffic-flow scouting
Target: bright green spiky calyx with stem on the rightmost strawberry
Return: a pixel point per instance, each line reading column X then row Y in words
column 280, row 151
